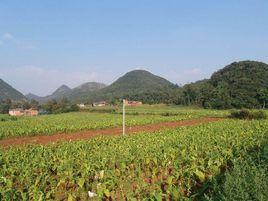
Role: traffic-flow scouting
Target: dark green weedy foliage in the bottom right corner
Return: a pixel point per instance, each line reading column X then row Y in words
column 247, row 179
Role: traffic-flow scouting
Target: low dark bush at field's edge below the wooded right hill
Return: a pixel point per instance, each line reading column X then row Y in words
column 247, row 114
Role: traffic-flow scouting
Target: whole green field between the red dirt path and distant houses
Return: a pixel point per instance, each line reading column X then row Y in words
column 81, row 121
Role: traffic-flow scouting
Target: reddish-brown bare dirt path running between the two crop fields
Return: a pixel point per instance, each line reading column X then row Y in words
column 46, row 139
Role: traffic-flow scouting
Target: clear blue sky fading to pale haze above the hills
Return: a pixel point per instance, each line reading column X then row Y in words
column 44, row 44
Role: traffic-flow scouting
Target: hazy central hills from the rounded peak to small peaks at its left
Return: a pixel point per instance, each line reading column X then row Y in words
column 137, row 84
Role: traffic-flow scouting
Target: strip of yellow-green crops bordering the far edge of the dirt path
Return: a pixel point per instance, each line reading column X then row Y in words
column 79, row 121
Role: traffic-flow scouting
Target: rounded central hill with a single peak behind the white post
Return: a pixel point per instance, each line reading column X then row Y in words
column 135, row 85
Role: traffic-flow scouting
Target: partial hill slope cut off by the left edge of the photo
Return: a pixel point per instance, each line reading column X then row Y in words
column 8, row 92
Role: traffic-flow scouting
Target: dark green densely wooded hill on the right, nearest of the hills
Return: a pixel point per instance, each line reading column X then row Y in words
column 241, row 84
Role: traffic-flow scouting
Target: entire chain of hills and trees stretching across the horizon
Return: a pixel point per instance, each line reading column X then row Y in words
column 242, row 84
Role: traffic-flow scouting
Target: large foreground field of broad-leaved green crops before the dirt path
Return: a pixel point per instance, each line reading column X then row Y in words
column 171, row 164
